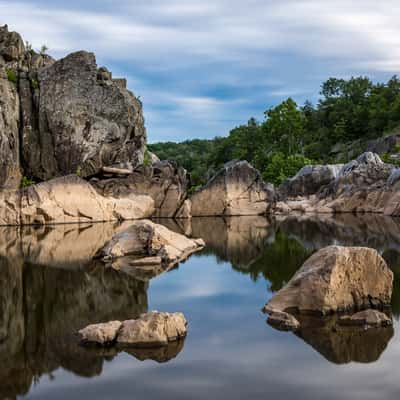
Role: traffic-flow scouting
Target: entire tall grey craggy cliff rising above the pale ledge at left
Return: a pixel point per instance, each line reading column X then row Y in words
column 62, row 117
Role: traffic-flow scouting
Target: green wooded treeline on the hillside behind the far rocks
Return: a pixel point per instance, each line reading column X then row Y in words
column 292, row 136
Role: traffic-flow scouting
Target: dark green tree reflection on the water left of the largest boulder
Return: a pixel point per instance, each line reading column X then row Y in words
column 278, row 261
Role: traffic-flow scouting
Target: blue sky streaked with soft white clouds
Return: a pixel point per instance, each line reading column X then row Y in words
column 204, row 67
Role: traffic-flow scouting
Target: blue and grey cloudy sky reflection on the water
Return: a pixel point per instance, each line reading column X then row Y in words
column 229, row 353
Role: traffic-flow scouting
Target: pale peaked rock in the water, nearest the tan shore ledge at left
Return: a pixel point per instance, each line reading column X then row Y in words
column 144, row 239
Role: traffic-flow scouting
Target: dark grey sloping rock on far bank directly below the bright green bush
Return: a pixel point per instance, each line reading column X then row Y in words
column 310, row 179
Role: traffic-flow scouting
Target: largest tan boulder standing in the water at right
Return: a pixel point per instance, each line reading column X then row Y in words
column 336, row 279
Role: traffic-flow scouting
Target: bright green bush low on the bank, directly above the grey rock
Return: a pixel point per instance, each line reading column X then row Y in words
column 281, row 167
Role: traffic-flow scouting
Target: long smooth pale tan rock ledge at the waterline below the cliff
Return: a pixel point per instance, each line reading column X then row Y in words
column 65, row 200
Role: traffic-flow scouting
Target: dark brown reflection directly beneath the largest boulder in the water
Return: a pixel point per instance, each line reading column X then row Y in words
column 342, row 345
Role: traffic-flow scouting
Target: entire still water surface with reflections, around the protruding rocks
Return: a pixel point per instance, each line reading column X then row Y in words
column 49, row 288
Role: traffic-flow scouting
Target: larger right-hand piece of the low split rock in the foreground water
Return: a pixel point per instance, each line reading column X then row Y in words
column 152, row 329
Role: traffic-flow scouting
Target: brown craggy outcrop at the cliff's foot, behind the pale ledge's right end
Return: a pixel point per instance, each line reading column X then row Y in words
column 163, row 181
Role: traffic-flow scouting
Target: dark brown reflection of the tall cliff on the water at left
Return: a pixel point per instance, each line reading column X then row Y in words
column 42, row 306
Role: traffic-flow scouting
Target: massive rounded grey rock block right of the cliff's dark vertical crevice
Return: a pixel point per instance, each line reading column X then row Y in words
column 85, row 121
